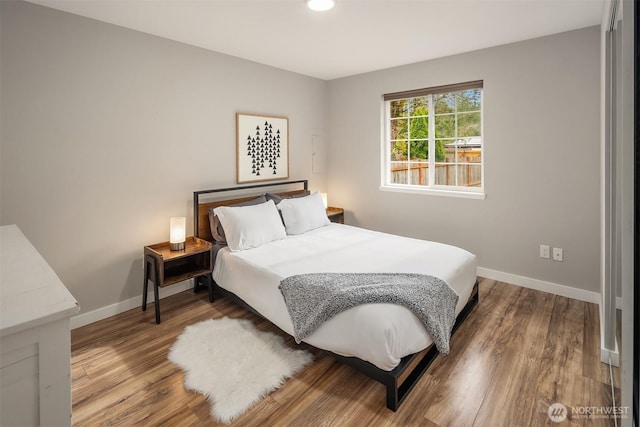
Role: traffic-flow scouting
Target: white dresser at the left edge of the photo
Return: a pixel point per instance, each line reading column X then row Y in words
column 35, row 339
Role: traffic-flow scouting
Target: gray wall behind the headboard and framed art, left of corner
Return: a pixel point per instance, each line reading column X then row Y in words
column 106, row 133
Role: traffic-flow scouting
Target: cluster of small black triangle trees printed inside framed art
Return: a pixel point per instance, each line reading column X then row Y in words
column 263, row 147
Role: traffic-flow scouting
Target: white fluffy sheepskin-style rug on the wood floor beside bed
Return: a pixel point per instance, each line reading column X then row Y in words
column 234, row 364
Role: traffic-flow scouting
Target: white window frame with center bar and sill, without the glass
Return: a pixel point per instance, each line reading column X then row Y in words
column 431, row 188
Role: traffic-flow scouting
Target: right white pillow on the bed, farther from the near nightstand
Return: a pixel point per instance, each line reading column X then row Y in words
column 303, row 213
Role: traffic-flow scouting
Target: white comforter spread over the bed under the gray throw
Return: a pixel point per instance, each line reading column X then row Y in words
column 379, row 333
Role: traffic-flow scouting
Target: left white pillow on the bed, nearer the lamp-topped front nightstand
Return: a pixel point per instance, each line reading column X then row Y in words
column 250, row 226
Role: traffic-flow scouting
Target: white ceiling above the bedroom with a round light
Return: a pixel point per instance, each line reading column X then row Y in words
column 356, row 36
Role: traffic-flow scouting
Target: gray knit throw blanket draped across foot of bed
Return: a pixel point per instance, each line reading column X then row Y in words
column 315, row 298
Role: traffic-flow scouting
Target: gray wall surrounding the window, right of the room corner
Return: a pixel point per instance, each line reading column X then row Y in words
column 542, row 157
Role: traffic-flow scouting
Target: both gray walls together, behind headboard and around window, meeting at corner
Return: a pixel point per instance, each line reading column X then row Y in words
column 105, row 133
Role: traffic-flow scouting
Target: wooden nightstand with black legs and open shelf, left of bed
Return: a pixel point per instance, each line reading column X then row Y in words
column 165, row 267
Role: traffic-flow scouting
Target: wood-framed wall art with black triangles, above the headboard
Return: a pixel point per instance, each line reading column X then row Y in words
column 262, row 147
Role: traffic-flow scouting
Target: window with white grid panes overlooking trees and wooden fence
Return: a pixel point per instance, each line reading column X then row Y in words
column 433, row 140
